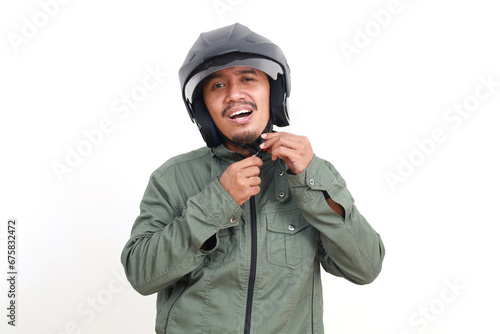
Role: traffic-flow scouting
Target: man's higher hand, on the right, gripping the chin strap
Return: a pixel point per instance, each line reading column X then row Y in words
column 295, row 151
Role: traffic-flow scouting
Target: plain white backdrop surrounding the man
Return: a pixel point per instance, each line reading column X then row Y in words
column 364, row 112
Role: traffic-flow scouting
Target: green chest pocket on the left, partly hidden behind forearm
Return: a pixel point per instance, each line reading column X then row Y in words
column 226, row 250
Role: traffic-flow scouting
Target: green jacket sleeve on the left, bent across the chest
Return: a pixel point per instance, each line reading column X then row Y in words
column 168, row 235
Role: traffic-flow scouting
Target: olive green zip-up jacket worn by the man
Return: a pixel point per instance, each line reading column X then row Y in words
column 259, row 268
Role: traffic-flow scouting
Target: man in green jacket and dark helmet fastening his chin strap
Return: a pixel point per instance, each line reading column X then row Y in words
column 231, row 236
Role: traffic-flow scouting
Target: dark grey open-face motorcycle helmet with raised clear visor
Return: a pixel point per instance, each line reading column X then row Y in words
column 232, row 46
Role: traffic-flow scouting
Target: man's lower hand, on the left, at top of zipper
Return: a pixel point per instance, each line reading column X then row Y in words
column 241, row 179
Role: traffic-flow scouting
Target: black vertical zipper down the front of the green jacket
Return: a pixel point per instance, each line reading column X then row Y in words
column 253, row 265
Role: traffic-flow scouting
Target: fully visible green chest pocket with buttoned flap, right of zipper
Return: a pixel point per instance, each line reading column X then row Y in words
column 291, row 241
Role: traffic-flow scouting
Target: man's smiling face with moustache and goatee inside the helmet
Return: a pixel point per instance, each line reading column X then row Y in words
column 237, row 98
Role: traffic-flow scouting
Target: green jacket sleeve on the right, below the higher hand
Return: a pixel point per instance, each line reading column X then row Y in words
column 348, row 247
